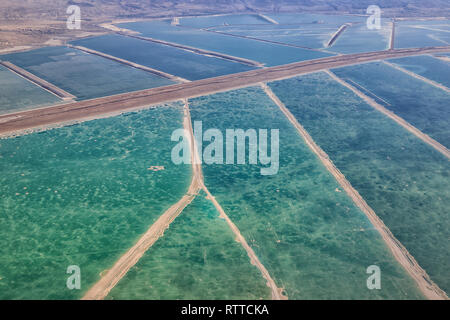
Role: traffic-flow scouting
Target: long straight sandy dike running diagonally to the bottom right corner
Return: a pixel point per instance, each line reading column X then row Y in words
column 429, row 289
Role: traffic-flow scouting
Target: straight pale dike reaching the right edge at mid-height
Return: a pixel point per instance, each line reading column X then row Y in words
column 419, row 134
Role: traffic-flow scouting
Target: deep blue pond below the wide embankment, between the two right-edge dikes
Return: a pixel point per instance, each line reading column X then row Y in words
column 419, row 103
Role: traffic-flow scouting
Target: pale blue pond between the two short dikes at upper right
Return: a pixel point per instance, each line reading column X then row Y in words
column 358, row 38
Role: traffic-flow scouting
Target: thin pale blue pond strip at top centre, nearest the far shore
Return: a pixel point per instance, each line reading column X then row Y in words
column 232, row 19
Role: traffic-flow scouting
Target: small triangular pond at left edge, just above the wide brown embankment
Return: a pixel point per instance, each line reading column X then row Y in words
column 17, row 94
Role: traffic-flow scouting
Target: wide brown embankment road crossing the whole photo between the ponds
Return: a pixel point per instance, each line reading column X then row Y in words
column 105, row 106
